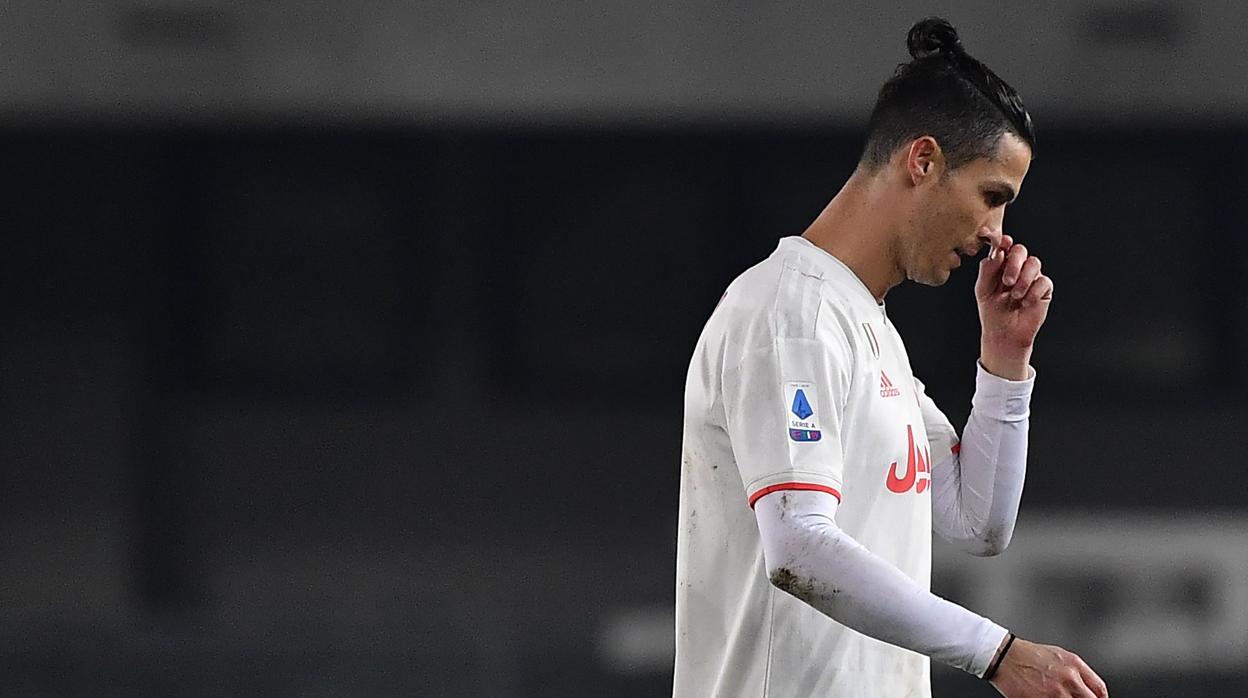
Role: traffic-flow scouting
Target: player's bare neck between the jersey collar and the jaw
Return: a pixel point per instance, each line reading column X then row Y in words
column 858, row 228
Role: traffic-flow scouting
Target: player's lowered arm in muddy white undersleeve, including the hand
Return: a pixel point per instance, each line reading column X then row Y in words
column 812, row 559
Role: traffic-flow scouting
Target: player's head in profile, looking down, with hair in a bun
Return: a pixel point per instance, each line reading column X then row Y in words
column 959, row 140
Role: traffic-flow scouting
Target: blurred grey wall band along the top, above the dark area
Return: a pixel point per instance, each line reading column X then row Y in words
column 616, row 62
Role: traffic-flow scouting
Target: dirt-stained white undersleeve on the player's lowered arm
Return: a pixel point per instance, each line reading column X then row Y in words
column 811, row 558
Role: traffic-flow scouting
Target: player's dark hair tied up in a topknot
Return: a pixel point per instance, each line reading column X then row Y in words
column 947, row 94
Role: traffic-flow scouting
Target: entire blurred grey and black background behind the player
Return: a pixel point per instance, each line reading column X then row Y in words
column 344, row 345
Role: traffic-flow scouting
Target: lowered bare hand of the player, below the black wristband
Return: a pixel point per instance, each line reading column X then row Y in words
column 1045, row 671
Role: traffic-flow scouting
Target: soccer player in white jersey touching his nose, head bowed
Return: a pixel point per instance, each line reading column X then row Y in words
column 816, row 468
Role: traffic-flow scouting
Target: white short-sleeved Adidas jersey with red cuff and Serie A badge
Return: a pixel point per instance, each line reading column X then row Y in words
column 799, row 381
